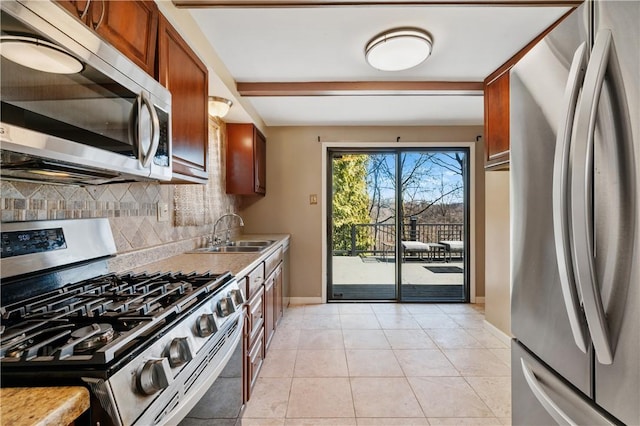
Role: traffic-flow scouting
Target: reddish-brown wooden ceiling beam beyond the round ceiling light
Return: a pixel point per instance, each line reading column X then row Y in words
column 361, row 88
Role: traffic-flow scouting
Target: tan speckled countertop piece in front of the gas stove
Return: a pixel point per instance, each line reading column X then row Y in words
column 58, row 405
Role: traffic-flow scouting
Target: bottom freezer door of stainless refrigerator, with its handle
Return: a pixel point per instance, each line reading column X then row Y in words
column 540, row 397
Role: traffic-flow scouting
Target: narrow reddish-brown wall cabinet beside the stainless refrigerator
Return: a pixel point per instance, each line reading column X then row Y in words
column 496, row 119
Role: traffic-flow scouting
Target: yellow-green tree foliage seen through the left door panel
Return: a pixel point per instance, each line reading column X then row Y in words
column 350, row 202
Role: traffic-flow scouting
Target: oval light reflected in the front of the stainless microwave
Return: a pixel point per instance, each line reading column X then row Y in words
column 39, row 55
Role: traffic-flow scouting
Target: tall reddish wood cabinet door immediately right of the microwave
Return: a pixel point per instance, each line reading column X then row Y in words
column 183, row 73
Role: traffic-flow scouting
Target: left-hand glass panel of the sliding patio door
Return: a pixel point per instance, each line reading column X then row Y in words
column 362, row 261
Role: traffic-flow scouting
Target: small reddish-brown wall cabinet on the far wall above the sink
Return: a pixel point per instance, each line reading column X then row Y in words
column 246, row 160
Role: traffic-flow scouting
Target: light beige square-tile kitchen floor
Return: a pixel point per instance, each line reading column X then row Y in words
column 383, row 364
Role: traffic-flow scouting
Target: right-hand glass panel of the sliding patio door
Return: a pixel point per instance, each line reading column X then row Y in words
column 434, row 217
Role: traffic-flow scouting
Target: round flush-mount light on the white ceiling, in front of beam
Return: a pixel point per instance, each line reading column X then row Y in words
column 398, row 49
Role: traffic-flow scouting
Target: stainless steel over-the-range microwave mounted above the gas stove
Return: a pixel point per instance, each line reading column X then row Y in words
column 75, row 109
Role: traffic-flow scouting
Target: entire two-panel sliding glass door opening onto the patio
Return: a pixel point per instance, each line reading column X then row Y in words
column 398, row 225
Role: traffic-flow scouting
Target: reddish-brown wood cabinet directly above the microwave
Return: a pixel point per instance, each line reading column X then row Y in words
column 130, row 26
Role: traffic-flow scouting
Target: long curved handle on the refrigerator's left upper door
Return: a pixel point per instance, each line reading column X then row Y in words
column 560, row 204
